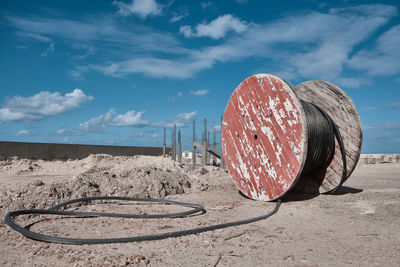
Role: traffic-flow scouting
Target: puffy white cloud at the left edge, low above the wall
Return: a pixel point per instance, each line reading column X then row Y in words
column 41, row 105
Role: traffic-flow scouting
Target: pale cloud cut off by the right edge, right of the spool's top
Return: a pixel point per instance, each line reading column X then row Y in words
column 384, row 58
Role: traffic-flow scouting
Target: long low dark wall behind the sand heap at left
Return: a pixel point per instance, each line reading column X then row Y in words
column 51, row 151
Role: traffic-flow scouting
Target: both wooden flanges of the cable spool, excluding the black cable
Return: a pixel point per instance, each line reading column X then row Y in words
column 264, row 136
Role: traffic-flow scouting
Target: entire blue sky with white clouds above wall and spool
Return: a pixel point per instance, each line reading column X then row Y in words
column 117, row 72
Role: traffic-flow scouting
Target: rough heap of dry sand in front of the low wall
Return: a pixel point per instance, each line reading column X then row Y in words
column 139, row 176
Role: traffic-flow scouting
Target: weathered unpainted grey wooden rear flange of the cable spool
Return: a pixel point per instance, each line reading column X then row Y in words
column 337, row 104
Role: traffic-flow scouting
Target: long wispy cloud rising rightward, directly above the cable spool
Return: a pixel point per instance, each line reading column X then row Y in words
column 318, row 44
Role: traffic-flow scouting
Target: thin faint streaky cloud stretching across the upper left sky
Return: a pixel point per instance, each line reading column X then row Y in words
column 90, row 31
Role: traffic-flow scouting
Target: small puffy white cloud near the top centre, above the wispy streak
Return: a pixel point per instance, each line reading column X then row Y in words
column 216, row 29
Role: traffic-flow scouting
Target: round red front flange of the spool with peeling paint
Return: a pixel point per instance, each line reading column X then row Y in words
column 264, row 138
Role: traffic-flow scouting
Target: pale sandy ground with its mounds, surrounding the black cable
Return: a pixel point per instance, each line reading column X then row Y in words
column 359, row 225
